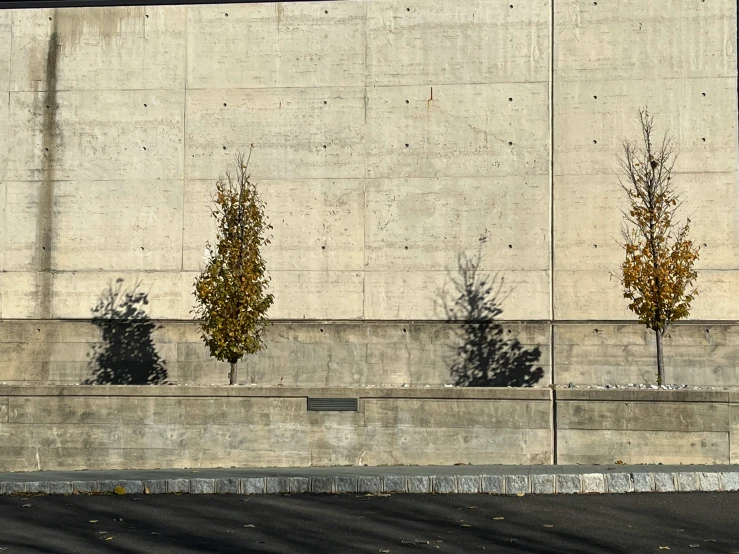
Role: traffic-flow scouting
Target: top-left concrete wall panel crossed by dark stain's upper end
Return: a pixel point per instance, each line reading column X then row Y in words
column 112, row 48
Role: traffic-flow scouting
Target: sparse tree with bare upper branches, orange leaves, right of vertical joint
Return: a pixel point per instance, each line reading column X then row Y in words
column 657, row 274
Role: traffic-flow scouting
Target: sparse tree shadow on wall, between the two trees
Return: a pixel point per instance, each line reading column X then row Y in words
column 487, row 355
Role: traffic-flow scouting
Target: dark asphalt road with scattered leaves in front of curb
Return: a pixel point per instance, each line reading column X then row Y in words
column 685, row 522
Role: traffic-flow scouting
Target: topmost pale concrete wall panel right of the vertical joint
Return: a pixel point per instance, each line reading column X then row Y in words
column 597, row 42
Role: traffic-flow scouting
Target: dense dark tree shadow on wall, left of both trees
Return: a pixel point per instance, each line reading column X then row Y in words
column 127, row 355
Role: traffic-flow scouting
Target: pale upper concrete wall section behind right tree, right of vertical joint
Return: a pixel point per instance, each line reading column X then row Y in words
column 609, row 61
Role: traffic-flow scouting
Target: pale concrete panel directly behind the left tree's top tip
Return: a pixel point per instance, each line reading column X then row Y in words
column 297, row 132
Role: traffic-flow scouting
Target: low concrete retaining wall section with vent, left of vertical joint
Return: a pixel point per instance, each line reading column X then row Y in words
column 47, row 428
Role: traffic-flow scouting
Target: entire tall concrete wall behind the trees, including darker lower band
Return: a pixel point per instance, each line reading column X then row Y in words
column 389, row 139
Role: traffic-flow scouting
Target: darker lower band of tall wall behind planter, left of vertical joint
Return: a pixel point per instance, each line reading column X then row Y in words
column 305, row 354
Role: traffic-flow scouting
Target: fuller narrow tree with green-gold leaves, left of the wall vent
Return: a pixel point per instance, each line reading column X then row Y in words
column 231, row 296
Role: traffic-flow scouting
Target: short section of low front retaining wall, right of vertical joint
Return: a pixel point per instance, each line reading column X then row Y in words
column 597, row 427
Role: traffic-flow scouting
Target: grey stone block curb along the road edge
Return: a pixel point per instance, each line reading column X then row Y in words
column 514, row 484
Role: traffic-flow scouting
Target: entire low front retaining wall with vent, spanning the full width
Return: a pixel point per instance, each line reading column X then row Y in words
column 68, row 428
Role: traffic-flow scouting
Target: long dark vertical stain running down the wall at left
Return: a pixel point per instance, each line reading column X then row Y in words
column 45, row 215
